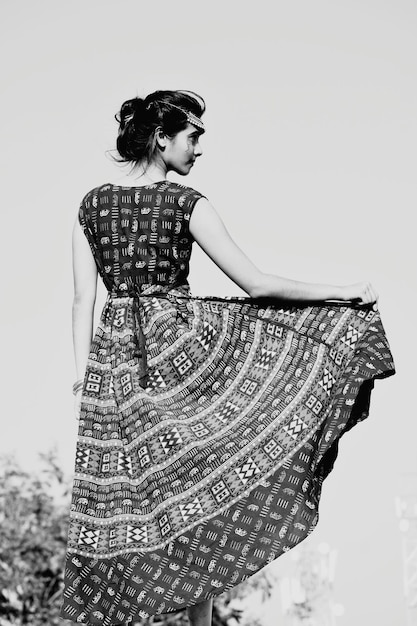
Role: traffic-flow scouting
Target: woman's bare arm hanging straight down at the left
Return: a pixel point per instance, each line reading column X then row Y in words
column 85, row 290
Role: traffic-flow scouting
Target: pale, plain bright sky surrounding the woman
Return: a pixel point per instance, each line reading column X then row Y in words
column 309, row 156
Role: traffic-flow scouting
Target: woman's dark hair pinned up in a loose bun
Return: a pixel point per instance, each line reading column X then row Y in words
column 139, row 118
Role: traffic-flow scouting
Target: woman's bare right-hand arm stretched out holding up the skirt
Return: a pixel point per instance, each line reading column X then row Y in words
column 211, row 234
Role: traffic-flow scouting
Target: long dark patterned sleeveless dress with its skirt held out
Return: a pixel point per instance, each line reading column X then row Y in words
column 207, row 424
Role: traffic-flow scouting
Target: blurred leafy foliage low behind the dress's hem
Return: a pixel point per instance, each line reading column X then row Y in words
column 34, row 519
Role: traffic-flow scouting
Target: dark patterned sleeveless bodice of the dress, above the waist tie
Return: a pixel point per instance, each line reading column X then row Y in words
column 139, row 236
